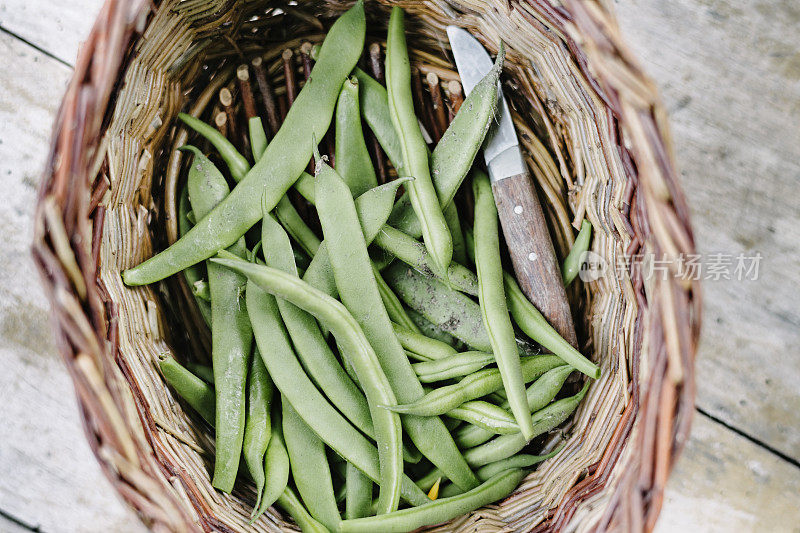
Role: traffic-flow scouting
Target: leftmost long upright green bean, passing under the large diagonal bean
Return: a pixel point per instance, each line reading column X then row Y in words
column 231, row 333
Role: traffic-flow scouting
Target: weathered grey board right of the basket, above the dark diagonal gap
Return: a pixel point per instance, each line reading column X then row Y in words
column 730, row 75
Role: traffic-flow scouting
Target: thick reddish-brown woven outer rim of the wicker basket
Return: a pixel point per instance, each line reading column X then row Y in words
column 66, row 243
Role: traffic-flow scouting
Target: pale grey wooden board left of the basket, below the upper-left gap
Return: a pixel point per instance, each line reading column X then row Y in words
column 50, row 478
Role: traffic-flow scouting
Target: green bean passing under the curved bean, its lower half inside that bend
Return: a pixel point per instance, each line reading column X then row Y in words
column 309, row 343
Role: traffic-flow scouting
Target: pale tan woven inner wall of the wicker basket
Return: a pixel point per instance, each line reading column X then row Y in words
column 187, row 52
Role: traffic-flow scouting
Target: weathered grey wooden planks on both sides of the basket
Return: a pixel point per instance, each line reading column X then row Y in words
column 730, row 72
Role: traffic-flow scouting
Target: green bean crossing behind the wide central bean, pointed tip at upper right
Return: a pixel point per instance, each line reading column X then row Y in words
column 373, row 209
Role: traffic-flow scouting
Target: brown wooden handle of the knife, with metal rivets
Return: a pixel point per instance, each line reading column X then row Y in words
column 532, row 253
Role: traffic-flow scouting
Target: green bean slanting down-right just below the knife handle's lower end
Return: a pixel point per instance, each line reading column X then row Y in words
column 531, row 321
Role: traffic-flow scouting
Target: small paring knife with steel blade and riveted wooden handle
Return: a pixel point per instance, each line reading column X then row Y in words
column 521, row 215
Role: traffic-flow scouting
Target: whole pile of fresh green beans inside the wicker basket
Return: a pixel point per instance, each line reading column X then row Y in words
column 387, row 365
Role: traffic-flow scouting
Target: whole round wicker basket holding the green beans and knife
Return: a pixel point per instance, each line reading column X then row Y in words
column 597, row 143
